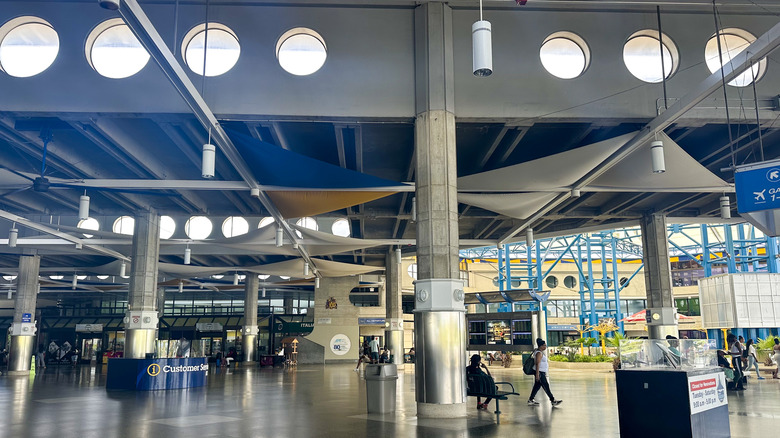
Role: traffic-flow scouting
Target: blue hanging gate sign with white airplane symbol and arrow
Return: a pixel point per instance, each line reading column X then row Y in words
column 758, row 186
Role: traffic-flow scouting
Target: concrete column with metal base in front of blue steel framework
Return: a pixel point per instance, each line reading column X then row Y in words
column 658, row 277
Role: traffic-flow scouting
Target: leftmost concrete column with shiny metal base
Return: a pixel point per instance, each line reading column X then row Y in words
column 23, row 328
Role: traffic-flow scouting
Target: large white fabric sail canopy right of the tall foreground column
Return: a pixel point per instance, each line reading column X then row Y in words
column 536, row 182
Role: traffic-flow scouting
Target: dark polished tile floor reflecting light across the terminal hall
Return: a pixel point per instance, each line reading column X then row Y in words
column 322, row 401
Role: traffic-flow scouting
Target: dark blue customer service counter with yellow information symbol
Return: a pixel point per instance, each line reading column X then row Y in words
column 156, row 374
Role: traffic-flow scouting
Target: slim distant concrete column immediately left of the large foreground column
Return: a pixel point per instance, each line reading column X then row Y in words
column 394, row 333
